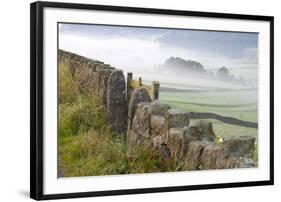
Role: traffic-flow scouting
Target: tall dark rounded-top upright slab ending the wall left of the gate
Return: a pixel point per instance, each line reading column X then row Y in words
column 116, row 101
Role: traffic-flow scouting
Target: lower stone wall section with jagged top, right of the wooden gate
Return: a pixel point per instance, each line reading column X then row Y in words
column 166, row 130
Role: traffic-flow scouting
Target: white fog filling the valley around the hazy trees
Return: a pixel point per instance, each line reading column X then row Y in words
column 142, row 52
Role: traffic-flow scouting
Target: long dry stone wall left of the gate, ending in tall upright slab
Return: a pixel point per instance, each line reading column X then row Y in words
column 106, row 82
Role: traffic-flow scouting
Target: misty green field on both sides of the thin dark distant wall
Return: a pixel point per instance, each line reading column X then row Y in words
column 237, row 104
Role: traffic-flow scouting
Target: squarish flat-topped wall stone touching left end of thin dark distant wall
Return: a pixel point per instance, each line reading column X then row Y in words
column 175, row 119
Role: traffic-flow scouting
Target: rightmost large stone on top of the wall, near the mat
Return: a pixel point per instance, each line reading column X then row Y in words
column 241, row 146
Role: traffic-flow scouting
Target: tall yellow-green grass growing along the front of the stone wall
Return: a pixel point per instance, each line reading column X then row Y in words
column 87, row 145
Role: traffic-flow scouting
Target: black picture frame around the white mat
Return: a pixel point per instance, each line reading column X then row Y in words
column 36, row 98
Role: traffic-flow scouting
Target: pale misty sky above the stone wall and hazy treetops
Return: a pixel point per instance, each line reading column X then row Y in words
column 140, row 49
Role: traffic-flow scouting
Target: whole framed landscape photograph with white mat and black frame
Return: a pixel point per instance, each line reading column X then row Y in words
column 129, row 100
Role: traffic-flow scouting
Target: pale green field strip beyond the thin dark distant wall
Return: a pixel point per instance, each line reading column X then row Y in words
column 238, row 104
